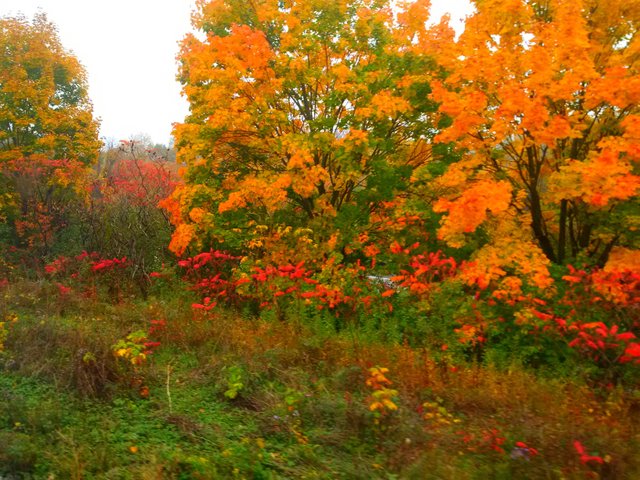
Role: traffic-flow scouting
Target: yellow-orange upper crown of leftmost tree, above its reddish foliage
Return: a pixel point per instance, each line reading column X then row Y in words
column 44, row 107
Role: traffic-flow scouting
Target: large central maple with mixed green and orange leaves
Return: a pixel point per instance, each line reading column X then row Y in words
column 308, row 114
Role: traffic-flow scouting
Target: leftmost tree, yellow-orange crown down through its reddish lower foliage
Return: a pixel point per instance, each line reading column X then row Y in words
column 48, row 135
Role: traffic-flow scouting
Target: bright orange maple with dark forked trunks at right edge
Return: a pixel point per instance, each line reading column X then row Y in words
column 542, row 99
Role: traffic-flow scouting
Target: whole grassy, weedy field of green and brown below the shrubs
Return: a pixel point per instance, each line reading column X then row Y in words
column 300, row 409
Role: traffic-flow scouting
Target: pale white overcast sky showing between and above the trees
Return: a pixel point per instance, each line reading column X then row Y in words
column 128, row 48
